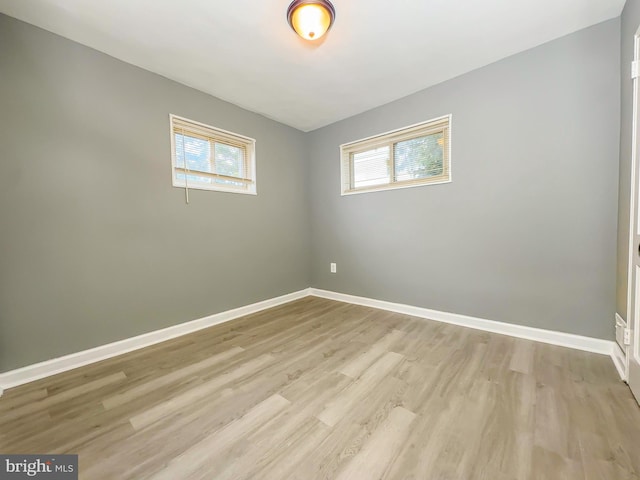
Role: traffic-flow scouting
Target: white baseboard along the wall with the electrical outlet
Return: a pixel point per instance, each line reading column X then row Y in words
column 569, row 340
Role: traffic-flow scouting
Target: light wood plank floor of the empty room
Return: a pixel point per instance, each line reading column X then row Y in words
column 319, row 389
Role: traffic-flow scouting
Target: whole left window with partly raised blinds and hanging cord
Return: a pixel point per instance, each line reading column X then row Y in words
column 207, row 158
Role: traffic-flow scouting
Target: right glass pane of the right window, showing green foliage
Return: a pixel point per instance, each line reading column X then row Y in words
column 421, row 157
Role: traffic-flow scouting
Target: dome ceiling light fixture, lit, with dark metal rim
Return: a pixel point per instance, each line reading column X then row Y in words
column 311, row 19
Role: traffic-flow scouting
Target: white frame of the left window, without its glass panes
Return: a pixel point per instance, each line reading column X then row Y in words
column 250, row 149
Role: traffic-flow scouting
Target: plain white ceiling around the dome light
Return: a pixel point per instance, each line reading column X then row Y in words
column 243, row 51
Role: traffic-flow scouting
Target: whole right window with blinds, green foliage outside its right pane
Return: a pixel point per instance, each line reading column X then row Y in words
column 409, row 157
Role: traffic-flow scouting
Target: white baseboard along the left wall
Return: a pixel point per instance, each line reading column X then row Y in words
column 27, row 374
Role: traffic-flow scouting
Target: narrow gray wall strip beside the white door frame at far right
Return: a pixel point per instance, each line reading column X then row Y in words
column 630, row 21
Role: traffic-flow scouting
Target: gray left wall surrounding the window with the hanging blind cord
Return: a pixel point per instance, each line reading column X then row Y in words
column 96, row 244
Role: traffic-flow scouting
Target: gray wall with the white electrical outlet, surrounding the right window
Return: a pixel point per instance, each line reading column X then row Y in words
column 526, row 232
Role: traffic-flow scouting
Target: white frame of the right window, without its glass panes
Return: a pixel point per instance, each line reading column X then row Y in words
column 388, row 139
